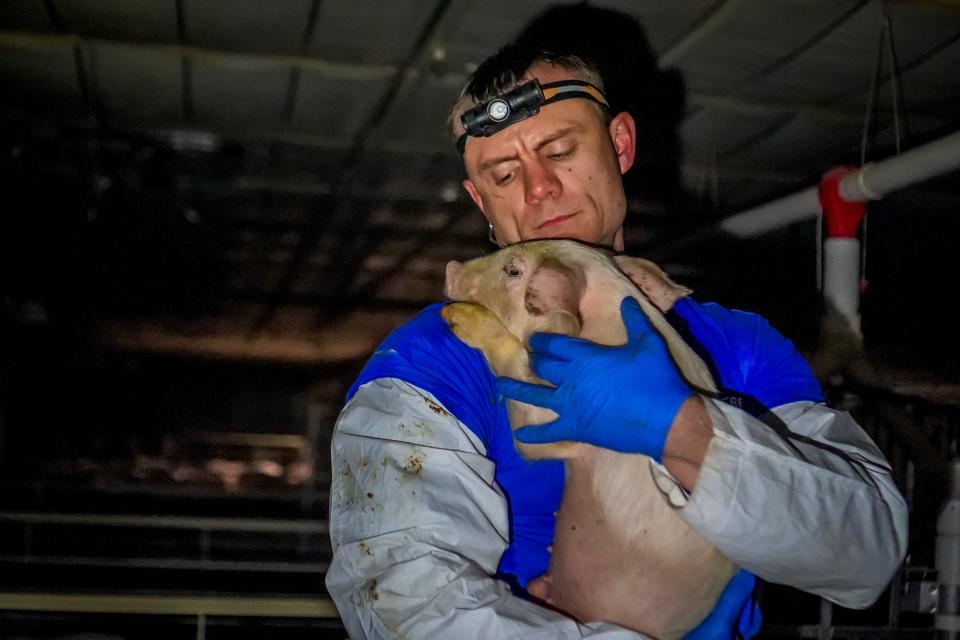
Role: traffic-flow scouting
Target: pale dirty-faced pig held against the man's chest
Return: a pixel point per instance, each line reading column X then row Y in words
column 621, row 553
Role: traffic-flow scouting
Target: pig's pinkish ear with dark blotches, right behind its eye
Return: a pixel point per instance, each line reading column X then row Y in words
column 552, row 299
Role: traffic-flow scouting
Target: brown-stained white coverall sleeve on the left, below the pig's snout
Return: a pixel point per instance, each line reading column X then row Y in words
column 418, row 526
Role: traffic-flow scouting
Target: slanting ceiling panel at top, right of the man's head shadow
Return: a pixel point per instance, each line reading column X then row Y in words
column 757, row 37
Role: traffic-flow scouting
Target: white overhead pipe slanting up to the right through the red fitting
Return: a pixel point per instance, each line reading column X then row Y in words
column 871, row 182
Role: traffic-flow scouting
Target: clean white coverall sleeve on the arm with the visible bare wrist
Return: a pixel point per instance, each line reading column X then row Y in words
column 795, row 512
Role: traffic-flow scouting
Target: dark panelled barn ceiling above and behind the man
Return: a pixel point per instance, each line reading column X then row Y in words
column 262, row 181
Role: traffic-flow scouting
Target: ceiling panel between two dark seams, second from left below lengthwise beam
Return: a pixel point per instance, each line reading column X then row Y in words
column 135, row 85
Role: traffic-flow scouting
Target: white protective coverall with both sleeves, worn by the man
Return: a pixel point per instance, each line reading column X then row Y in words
column 419, row 524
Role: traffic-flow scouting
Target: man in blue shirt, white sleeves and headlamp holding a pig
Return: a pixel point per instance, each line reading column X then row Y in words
column 433, row 512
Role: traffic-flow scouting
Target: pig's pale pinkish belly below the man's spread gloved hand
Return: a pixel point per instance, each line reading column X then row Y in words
column 621, row 553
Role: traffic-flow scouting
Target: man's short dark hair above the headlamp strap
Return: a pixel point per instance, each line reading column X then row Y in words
column 505, row 70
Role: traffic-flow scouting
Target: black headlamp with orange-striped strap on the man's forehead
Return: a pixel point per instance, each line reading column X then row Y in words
column 520, row 103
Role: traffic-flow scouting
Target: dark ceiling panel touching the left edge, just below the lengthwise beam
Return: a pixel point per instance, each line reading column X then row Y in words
column 43, row 81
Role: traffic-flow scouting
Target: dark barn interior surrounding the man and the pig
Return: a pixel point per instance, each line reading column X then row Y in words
column 214, row 210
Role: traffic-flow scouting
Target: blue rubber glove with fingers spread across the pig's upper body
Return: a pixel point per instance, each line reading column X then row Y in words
column 621, row 398
